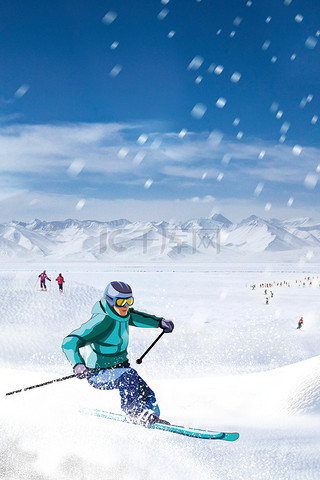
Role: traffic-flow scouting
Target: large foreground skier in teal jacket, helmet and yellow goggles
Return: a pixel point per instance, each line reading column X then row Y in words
column 106, row 364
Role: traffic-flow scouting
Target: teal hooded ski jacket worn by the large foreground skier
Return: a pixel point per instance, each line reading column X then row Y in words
column 105, row 336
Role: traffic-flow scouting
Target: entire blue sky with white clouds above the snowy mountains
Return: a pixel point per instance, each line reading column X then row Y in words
column 159, row 109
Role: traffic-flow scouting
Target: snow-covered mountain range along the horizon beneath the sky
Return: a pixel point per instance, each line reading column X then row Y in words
column 211, row 238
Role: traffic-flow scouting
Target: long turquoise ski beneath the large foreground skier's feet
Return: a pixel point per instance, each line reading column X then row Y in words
column 186, row 431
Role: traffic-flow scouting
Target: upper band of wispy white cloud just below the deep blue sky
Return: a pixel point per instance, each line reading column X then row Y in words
column 45, row 148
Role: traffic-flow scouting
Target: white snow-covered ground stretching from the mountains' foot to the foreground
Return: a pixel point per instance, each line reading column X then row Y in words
column 233, row 363
